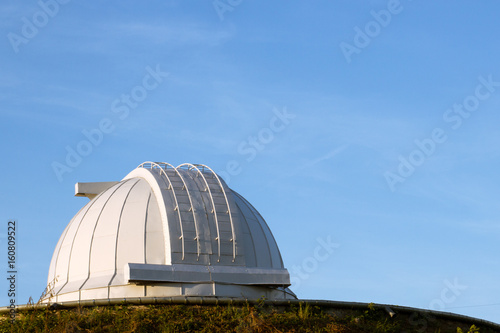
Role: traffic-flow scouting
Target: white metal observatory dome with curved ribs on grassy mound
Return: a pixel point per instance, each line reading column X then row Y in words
column 166, row 231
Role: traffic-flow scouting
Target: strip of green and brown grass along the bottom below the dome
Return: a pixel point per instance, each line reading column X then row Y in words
column 230, row 318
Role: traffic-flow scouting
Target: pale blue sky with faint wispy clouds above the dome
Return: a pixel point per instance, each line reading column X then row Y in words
column 366, row 133
